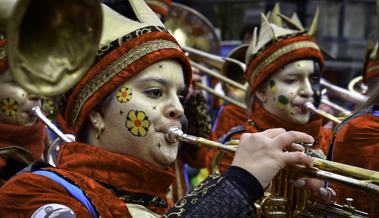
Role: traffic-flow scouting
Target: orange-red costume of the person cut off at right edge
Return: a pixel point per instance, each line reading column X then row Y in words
column 357, row 144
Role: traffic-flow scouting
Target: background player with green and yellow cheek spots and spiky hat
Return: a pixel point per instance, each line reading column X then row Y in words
column 284, row 69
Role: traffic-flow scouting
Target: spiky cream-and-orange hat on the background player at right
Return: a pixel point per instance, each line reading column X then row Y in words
column 274, row 48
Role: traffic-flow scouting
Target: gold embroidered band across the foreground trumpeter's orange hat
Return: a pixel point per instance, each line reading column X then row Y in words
column 113, row 69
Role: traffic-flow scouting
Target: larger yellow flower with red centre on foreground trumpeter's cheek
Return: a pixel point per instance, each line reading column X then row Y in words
column 137, row 123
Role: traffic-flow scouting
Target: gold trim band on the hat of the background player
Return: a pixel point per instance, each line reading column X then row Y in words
column 280, row 52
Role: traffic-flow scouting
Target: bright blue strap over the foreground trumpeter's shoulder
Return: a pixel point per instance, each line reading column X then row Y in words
column 72, row 189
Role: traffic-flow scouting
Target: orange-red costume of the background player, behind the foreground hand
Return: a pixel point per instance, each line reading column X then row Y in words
column 261, row 120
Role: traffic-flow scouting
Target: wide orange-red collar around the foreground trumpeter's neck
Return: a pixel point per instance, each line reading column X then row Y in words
column 123, row 172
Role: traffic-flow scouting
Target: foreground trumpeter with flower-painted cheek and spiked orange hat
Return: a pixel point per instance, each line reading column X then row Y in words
column 119, row 112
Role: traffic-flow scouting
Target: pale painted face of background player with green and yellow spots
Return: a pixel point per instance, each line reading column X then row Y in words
column 293, row 87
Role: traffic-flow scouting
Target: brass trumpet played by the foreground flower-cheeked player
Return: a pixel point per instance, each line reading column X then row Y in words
column 287, row 201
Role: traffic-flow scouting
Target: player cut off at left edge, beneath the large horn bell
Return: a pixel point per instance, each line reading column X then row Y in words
column 22, row 136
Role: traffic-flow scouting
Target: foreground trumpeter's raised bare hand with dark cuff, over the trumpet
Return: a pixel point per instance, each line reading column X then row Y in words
column 262, row 153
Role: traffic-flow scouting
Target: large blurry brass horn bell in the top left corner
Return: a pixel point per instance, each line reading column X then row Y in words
column 50, row 44
